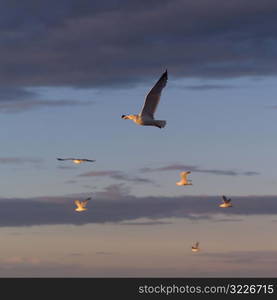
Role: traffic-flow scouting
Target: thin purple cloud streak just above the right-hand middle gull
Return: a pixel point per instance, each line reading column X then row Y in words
column 181, row 167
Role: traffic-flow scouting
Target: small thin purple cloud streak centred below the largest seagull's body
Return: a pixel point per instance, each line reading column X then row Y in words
column 117, row 175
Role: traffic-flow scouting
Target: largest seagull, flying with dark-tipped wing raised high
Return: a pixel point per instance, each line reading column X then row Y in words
column 146, row 116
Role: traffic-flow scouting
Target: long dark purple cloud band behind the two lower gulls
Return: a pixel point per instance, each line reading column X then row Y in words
column 116, row 205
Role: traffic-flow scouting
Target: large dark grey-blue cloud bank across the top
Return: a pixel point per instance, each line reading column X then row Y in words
column 68, row 43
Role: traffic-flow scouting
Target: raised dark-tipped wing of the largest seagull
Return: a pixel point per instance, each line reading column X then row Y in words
column 153, row 98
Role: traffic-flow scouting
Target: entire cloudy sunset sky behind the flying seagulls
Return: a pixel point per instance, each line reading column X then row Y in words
column 69, row 70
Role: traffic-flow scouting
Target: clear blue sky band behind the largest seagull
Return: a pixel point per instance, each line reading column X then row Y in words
column 227, row 127
